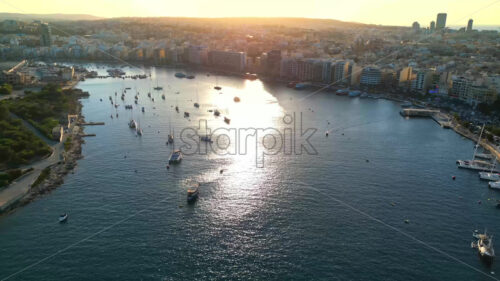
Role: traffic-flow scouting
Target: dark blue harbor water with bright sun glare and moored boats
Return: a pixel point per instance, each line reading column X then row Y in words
column 397, row 170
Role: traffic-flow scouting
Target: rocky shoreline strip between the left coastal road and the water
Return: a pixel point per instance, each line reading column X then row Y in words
column 67, row 161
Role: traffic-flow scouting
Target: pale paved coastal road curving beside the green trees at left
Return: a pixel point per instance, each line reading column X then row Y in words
column 21, row 186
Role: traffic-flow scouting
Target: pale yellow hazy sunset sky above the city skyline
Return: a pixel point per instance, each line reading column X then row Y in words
column 387, row 12
